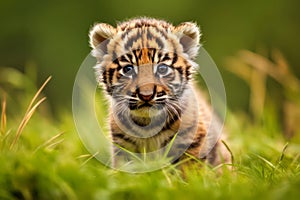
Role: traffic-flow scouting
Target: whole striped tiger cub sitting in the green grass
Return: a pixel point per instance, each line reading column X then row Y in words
column 145, row 66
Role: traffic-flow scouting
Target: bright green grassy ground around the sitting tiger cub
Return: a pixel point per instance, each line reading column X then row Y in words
column 43, row 158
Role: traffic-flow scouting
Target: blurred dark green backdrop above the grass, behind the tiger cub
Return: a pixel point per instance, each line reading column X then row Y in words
column 51, row 37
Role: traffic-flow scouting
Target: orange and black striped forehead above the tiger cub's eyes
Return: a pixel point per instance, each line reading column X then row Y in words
column 145, row 42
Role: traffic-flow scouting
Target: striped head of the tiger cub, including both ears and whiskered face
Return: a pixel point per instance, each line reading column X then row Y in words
column 145, row 63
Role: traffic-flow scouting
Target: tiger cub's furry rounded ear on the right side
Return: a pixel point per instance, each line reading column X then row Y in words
column 188, row 34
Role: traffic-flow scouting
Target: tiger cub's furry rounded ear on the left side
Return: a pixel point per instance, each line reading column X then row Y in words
column 100, row 33
